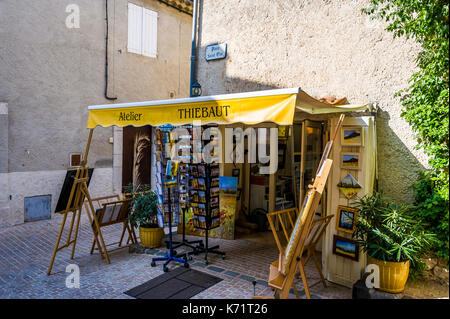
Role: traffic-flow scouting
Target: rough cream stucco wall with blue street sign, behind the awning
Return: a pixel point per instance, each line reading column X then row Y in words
column 326, row 48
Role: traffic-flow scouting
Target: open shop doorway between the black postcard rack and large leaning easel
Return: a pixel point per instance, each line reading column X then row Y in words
column 300, row 147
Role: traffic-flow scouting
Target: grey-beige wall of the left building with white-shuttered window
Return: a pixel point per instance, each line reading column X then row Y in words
column 50, row 74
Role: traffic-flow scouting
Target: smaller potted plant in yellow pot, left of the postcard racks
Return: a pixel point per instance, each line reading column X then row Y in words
column 144, row 214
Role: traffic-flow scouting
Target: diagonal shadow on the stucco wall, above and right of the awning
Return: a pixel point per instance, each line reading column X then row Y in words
column 398, row 167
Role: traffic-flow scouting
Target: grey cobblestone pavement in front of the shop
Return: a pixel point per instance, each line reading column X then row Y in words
column 25, row 252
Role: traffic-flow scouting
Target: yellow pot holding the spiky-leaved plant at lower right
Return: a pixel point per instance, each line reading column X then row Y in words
column 393, row 275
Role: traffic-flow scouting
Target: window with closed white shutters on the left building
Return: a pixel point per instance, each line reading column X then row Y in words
column 142, row 31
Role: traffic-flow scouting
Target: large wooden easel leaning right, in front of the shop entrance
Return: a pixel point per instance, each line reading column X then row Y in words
column 290, row 259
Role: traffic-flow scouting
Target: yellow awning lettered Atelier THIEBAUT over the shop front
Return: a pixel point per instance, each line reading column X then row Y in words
column 277, row 106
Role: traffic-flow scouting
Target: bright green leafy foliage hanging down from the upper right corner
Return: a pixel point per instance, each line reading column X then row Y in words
column 425, row 101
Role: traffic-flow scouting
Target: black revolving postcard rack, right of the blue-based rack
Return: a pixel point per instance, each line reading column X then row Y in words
column 204, row 200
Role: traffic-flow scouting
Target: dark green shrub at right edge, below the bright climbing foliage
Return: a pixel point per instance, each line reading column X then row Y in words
column 431, row 209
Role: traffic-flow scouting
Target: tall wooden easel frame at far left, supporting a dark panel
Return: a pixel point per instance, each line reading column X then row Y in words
column 78, row 194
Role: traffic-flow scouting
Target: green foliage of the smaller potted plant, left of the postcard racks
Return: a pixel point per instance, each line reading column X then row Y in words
column 144, row 206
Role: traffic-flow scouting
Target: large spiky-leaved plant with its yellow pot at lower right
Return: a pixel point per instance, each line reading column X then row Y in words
column 393, row 239
